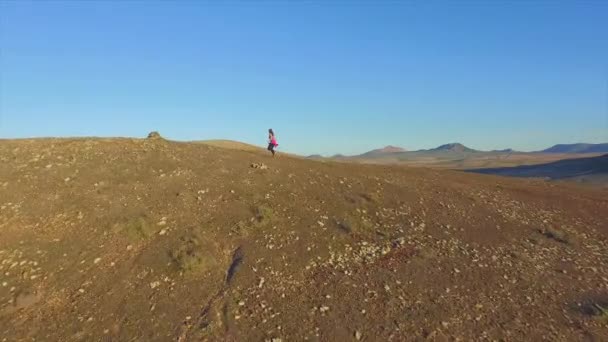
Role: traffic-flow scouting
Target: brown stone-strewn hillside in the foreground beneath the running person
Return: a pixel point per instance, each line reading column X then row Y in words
column 151, row 240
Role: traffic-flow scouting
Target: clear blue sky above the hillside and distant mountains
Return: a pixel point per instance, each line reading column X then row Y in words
column 329, row 77
